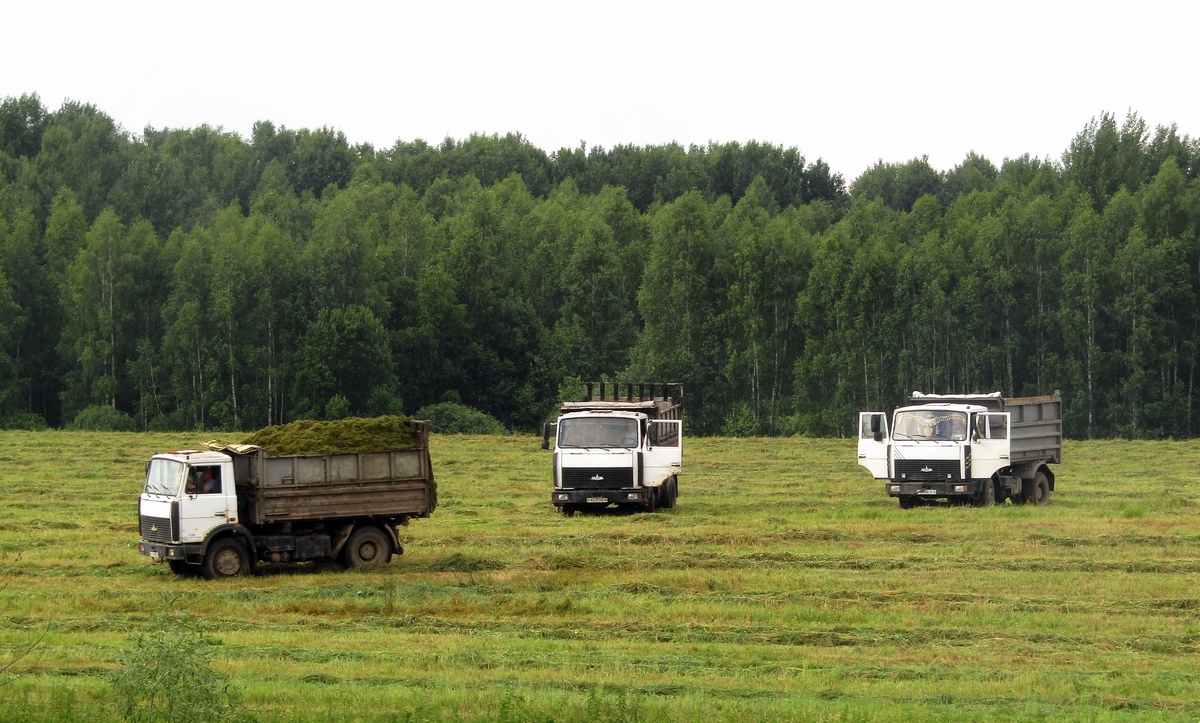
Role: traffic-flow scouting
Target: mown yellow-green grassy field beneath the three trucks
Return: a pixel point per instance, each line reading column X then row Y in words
column 787, row 585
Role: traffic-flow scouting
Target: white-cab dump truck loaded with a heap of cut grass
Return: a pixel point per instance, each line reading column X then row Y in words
column 308, row 491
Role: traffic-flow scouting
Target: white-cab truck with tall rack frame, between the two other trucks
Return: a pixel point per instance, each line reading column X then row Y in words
column 621, row 445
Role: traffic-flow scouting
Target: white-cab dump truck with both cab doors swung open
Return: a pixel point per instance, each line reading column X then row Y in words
column 967, row 449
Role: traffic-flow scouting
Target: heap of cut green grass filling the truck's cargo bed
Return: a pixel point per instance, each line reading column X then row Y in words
column 345, row 437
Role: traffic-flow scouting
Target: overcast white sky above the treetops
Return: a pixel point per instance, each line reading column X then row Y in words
column 850, row 82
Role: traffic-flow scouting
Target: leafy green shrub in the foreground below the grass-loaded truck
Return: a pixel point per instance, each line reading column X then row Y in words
column 169, row 676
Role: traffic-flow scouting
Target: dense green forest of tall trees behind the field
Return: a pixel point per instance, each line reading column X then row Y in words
column 195, row 279
